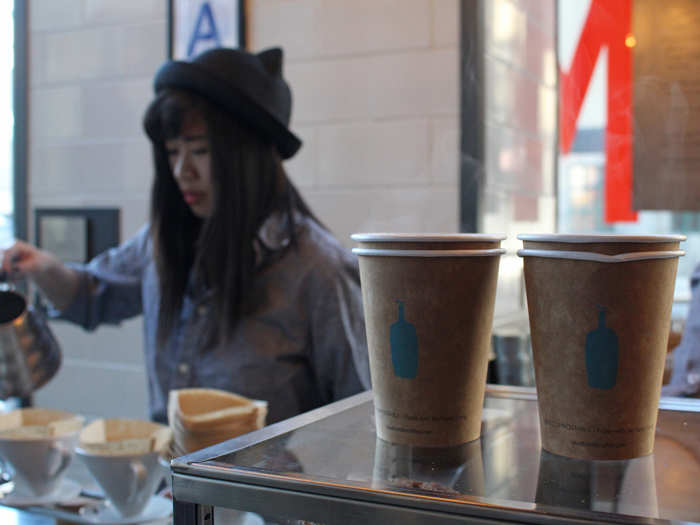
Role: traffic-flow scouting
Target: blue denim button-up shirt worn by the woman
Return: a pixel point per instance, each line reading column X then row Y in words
column 303, row 345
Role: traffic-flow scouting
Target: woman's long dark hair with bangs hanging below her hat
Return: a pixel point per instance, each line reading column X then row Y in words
column 248, row 184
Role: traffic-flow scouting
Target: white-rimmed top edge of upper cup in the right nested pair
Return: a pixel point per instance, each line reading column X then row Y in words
column 606, row 243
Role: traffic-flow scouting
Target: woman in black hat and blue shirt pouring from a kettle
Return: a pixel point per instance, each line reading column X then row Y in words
column 240, row 286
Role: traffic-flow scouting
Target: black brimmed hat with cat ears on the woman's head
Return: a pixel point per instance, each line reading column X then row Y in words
column 247, row 85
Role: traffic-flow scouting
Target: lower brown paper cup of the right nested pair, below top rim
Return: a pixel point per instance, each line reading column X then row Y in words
column 599, row 326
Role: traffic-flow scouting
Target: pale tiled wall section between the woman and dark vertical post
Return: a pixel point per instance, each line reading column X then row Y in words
column 376, row 96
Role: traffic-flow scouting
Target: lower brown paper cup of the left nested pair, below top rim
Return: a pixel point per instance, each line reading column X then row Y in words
column 428, row 317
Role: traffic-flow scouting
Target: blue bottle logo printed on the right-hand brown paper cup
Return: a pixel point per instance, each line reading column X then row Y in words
column 601, row 355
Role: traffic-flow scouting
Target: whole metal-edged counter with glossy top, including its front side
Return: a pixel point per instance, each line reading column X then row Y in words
column 327, row 466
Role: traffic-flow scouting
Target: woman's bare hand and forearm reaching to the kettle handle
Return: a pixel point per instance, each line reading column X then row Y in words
column 57, row 282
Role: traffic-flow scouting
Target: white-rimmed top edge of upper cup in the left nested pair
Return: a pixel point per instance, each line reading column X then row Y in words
column 428, row 241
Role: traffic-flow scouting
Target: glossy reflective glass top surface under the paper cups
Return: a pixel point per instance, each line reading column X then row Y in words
column 504, row 471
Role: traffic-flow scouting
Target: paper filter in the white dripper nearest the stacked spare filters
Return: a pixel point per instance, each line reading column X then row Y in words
column 124, row 436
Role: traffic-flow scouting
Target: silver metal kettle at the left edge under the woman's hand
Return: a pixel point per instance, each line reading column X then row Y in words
column 29, row 353
